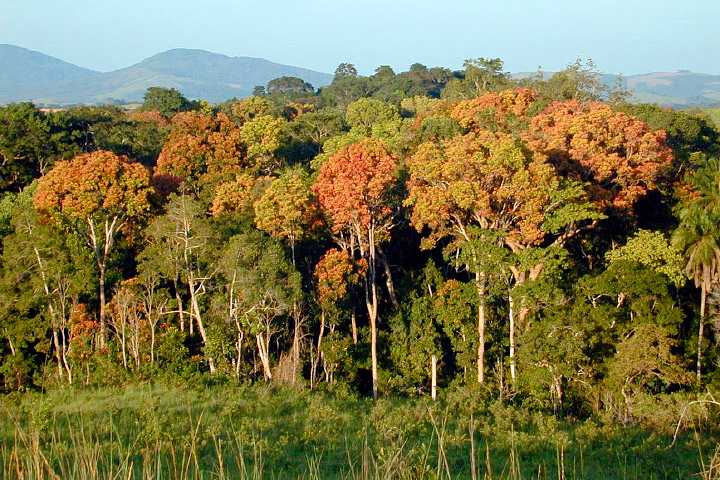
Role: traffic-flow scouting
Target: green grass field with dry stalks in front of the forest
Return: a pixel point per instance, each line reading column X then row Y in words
column 257, row 432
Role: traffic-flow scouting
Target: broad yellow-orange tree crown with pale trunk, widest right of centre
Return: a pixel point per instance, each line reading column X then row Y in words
column 487, row 190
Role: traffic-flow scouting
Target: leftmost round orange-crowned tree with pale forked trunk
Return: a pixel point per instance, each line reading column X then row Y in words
column 99, row 195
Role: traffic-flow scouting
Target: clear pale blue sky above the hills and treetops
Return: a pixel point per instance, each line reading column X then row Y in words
column 622, row 36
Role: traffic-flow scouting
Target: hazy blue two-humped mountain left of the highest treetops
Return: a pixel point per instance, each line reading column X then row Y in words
column 29, row 75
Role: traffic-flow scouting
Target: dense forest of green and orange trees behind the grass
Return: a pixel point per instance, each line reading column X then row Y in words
column 538, row 241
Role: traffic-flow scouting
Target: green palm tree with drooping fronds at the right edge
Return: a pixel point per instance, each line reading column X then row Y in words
column 698, row 236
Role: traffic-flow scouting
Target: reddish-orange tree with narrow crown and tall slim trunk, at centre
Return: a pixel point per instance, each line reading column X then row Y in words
column 356, row 190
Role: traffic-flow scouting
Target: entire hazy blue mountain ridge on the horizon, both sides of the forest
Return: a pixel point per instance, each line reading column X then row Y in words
column 29, row 75
